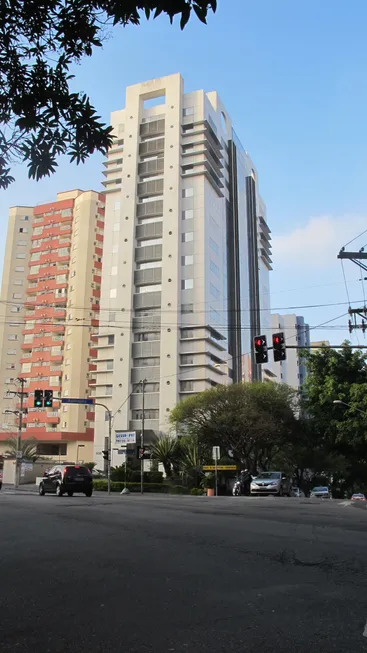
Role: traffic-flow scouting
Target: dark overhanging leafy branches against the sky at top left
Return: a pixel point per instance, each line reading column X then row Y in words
column 39, row 41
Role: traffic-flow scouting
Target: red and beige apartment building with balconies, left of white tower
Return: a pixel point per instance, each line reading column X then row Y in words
column 60, row 318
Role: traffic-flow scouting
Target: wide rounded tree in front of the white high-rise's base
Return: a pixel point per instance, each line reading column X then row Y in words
column 250, row 419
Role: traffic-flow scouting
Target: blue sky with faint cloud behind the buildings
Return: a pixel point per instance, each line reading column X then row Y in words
column 292, row 76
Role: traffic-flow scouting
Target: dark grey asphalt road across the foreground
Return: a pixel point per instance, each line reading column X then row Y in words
column 189, row 575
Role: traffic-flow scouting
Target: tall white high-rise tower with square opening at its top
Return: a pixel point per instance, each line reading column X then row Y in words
column 185, row 282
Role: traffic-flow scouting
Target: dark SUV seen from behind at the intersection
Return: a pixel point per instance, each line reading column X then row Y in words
column 66, row 480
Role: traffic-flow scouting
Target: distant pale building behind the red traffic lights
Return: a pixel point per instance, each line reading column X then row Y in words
column 296, row 332
